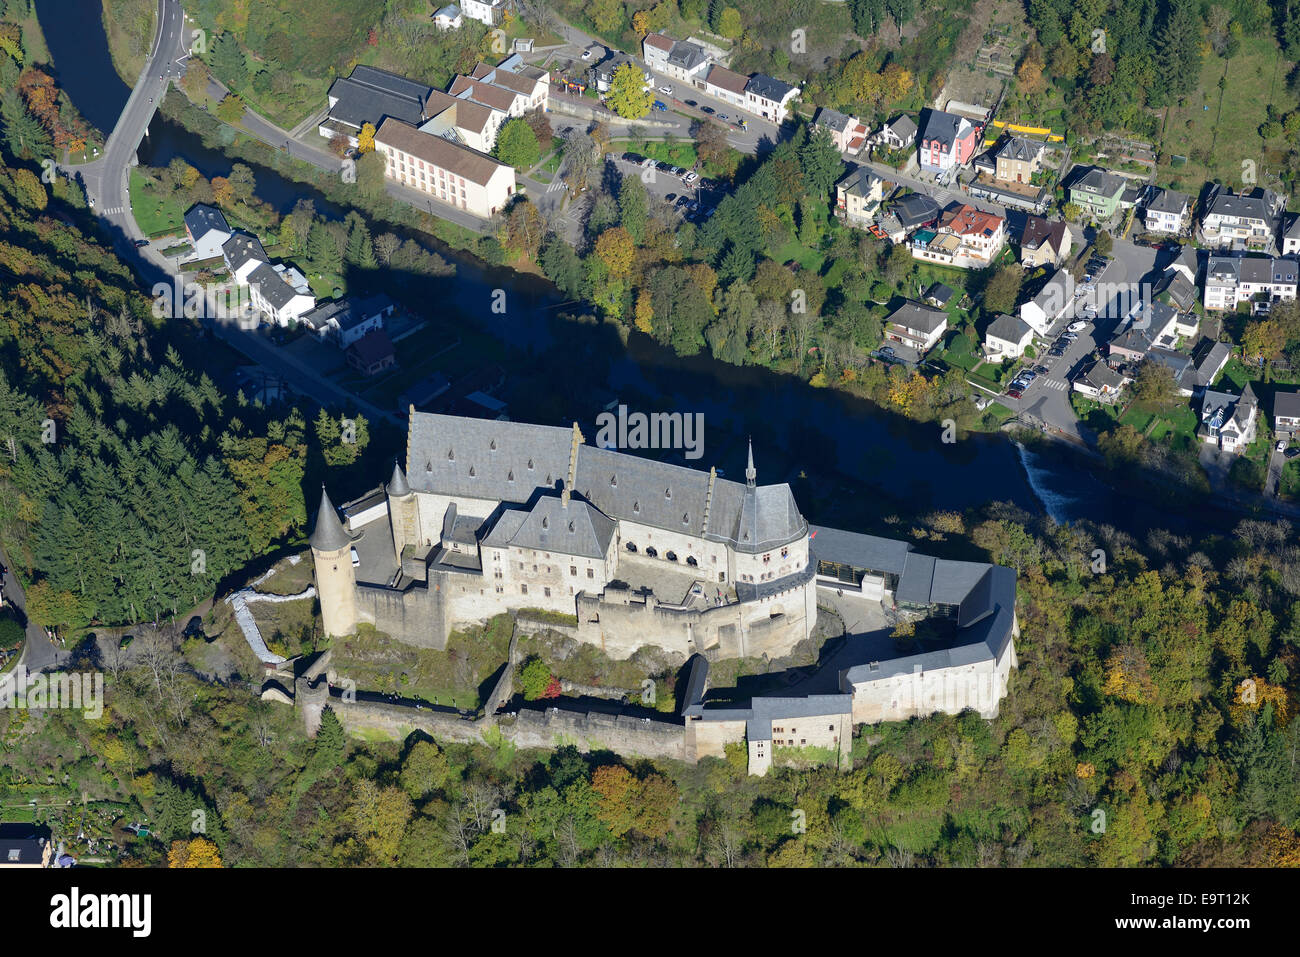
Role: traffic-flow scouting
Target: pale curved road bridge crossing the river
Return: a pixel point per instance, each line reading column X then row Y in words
column 106, row 179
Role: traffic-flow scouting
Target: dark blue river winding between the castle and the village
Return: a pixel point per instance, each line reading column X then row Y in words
column 851, row 457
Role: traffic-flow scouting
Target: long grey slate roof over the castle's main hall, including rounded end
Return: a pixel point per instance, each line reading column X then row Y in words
column 510, row 461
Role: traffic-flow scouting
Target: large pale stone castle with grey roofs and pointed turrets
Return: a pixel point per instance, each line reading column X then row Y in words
column 499, row 517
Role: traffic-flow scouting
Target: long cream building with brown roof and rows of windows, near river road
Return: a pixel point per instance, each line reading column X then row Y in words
column 448, row 172
